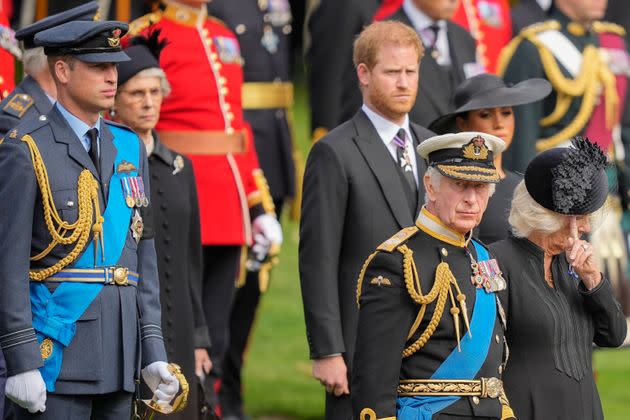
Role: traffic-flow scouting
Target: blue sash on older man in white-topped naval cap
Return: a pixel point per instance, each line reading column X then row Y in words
column 458, row 365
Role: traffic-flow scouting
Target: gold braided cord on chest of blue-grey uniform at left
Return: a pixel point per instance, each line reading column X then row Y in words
column 62, row 232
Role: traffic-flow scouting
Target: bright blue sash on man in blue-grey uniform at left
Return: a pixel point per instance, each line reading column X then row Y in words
column 55, row 314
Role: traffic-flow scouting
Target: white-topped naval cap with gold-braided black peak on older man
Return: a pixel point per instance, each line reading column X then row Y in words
column 467, row 156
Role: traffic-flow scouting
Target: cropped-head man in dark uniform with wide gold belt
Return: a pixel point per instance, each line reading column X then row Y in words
column 263, row 30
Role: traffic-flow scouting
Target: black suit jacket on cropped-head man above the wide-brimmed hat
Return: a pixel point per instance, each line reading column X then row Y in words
column 437, row 85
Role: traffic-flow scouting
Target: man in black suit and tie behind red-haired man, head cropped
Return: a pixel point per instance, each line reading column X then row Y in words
column 449, row 59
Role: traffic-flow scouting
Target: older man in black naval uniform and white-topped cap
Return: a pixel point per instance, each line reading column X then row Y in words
column 430, row 340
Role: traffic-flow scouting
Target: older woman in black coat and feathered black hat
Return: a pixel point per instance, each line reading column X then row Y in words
column 141, row 87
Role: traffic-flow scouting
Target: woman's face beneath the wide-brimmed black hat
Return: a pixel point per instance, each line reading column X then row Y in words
column 496, row 121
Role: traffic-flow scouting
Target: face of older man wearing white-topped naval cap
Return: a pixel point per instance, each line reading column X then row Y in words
column 458, row 204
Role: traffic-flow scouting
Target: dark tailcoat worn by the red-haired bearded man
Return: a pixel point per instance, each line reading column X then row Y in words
column 353, row 200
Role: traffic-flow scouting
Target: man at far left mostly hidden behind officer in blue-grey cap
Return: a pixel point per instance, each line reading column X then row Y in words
column 35, row 95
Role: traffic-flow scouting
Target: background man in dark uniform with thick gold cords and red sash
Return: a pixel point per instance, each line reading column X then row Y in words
column 588, row 65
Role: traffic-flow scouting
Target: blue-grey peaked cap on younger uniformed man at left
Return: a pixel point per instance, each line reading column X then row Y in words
column 92, row 42
